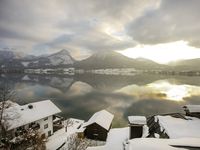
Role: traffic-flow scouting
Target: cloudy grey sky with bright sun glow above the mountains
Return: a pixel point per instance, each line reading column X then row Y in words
column 160, row 30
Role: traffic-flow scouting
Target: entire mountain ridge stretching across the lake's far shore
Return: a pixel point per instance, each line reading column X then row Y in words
column 99, row 60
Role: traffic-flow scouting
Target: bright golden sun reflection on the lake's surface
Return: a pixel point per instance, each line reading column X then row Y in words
column 162, row 89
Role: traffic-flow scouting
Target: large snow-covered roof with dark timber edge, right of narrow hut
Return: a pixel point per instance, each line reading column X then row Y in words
column 167, row 126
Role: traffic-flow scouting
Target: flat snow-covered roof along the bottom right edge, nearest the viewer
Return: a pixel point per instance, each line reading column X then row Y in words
column 162, row 144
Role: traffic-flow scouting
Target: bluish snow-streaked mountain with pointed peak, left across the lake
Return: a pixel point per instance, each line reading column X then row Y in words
column 59, row 59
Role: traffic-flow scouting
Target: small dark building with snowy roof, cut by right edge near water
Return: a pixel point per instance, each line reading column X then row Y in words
column 192, row 110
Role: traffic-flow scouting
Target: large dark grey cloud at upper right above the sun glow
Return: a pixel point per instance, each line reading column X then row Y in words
column 172, row 21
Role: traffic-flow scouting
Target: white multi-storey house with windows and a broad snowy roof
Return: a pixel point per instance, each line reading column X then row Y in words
column 38, row 116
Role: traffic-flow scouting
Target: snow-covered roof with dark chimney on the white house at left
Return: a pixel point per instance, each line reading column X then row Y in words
column 17, row 116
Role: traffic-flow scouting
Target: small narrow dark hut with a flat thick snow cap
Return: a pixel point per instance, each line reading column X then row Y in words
column 136, row 125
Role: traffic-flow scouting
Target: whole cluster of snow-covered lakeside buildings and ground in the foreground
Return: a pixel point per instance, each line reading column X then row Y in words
column 162, row 131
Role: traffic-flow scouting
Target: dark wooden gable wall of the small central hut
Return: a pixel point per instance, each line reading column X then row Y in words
column 96, row 132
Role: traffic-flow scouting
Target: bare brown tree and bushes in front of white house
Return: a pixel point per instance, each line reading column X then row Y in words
column 28, row 139
